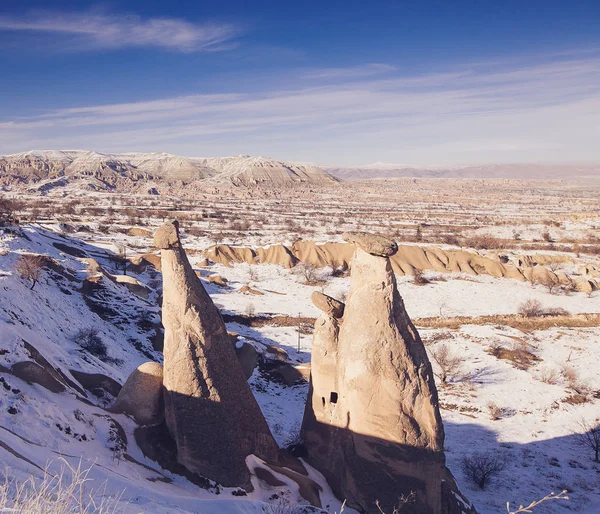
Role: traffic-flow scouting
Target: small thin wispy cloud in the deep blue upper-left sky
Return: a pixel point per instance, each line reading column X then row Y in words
column 104, row 31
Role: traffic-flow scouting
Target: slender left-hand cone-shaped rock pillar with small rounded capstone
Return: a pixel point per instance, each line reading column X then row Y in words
column 209, row 409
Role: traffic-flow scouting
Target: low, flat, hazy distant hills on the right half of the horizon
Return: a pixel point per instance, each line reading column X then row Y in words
column 508, row 171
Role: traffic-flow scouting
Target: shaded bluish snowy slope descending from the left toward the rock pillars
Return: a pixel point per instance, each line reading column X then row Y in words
column 39, row 427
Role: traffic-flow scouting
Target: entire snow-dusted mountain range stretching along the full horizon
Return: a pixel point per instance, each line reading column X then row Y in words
column 49, row 169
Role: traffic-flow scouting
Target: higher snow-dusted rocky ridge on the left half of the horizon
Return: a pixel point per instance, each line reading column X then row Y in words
column 92, row 170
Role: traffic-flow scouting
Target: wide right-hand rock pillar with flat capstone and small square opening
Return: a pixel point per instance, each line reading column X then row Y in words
column 372, row 424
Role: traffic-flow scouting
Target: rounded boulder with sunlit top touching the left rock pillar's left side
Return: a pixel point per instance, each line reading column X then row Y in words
column 141, row 397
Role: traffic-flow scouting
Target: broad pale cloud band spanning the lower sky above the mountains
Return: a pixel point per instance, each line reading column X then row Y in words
column 541, row 112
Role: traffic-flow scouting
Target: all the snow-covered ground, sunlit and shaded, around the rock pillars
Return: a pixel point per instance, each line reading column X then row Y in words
column 538, row 414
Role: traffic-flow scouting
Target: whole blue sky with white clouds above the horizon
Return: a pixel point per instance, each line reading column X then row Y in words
column 417, row 83
